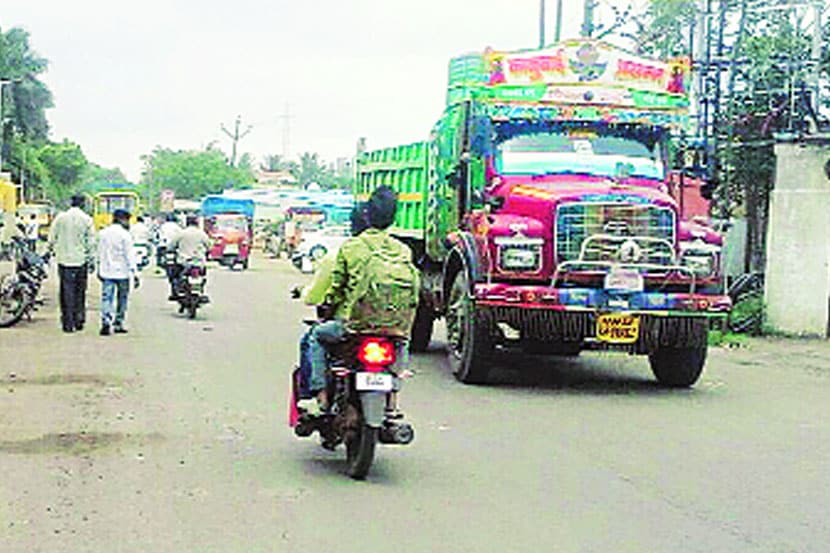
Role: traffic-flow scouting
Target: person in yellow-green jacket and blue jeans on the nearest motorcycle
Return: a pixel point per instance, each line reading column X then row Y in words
column 348, row 281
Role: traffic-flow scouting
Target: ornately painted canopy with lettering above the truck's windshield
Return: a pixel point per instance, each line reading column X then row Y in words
column 580, row 80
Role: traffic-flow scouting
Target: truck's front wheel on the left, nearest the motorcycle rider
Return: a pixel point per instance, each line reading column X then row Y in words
column 469, row 343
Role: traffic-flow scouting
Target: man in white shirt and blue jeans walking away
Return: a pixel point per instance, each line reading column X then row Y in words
column 116, row 265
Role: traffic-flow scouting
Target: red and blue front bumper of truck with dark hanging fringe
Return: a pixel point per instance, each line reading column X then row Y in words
column 570, row 316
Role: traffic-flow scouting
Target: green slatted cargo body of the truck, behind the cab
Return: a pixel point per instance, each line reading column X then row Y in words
column 405, row 169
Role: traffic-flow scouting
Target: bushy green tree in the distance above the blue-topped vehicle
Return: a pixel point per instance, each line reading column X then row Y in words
column 192, row 173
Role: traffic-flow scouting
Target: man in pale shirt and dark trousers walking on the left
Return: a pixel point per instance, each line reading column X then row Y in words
column 72, row 239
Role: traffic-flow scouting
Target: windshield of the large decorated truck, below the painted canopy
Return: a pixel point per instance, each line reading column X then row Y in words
column 552, row 153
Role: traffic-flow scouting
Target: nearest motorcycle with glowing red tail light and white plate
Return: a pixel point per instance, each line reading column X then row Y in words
column 362, row 386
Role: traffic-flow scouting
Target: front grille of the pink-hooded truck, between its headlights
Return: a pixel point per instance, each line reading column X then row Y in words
column 602, row 231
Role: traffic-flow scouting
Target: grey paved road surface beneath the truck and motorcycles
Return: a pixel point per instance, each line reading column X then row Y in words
column 173, row 439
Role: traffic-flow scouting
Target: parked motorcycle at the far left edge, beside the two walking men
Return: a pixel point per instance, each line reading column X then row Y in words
column 19, row 290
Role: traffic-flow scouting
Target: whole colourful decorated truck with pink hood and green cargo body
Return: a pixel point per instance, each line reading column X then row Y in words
column 543, row 218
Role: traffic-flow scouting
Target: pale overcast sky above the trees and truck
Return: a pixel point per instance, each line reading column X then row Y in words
column 128, row 76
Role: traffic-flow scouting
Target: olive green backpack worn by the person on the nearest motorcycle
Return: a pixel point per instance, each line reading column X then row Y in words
column 387, row 296
